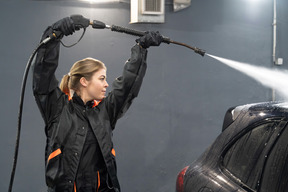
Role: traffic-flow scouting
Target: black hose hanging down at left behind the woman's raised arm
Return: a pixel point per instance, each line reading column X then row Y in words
column 21, row 109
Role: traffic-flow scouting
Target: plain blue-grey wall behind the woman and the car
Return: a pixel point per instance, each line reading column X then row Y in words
column 184, row 97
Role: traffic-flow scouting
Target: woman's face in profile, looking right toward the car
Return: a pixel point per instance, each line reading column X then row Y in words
column 96, row 86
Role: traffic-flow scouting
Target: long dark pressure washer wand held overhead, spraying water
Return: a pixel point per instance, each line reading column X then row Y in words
column 100, row 25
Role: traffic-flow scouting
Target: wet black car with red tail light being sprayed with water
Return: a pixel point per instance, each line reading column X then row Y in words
column 250, row 154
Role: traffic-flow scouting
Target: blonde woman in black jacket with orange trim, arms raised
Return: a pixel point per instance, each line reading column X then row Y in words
column 79, row 117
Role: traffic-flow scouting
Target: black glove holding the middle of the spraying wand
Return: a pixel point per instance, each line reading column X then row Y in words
column 151, row 38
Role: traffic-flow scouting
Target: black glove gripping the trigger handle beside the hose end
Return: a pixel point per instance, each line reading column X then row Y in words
column 65, row 25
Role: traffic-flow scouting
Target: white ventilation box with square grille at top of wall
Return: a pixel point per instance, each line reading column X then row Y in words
column 147, row 11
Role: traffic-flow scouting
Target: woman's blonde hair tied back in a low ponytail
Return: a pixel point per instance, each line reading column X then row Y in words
column 83, row 68
